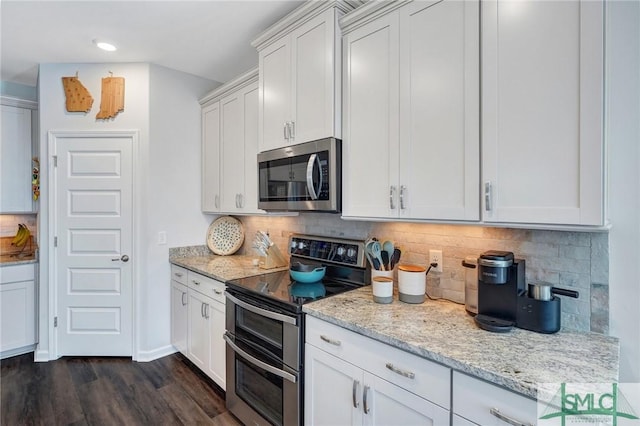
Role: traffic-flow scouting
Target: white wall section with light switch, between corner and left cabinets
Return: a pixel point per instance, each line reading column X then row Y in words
column 172, row 191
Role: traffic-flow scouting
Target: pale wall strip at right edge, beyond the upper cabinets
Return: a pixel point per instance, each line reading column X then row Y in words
column 622, row 132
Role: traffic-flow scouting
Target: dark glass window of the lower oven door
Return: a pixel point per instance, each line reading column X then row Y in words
column 260, row 389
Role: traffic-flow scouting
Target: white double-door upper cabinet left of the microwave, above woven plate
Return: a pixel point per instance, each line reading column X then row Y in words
column 230, row 147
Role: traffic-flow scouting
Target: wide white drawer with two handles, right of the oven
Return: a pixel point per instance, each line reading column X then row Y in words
column 425, row 378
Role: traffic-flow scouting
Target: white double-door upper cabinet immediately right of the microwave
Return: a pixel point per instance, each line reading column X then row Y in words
column 411, row 119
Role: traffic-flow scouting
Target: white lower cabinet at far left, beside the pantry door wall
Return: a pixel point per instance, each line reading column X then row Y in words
column 17, row 309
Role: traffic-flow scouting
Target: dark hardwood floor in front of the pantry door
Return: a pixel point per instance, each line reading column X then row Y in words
column 109, row 391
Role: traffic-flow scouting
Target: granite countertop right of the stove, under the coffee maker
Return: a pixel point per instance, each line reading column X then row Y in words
column 442, row 331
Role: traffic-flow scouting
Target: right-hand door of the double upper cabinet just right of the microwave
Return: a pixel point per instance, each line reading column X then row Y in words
column 439, row 110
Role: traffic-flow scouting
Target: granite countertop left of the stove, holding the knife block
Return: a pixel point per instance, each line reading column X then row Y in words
column 221, row 268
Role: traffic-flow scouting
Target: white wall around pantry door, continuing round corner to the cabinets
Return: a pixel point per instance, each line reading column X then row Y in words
column 172, row 111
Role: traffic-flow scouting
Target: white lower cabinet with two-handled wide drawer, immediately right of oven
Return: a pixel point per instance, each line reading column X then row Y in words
column 353, row 380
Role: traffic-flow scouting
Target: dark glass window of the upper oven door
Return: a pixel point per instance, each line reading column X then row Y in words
column 263, row 331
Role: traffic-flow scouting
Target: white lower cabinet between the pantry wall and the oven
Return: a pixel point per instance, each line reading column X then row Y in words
column 198, row 321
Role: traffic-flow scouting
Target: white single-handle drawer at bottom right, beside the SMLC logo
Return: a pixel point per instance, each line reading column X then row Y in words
column 474, row 399
